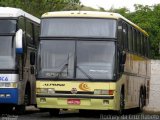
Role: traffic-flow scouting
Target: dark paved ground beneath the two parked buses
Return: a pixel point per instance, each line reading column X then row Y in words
column 35, row 114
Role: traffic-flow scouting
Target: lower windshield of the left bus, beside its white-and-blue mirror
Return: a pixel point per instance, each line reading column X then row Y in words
column 7, row 59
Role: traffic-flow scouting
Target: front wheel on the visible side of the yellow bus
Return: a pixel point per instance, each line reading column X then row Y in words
column 121, row 104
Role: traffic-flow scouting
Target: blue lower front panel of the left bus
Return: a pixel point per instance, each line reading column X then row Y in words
column 10, row 100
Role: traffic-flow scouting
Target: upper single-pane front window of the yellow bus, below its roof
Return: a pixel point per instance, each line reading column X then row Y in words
column 78, row 27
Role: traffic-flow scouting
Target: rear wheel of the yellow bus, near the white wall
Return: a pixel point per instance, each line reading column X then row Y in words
column 141, row 101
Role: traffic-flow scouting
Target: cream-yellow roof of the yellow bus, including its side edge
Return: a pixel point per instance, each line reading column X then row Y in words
column 90, row 14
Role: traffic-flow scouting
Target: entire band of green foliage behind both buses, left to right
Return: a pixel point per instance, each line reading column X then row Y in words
column 147, row 17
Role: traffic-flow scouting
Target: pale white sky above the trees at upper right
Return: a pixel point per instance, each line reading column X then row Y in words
column 107, row 4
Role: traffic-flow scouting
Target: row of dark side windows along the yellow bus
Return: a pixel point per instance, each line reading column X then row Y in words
column 136, row 39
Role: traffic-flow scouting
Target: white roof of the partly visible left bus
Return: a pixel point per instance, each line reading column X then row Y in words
column 16, row 12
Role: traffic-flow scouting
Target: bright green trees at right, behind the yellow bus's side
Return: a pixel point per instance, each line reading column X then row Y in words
column 148, row 18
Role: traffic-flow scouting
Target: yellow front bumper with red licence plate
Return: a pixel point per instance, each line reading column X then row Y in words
column 83, row 103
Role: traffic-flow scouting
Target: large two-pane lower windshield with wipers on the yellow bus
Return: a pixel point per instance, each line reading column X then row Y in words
column 76, row 60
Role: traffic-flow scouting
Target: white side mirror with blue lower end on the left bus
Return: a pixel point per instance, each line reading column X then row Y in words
column 19, row 39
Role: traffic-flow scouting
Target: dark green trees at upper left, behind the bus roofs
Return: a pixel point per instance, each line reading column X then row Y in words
column 38, row 7
